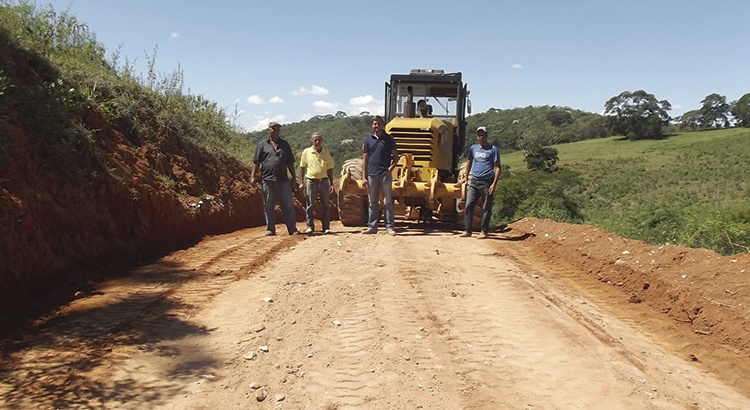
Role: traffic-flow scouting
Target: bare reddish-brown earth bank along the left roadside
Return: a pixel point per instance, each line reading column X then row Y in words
column 78, row 191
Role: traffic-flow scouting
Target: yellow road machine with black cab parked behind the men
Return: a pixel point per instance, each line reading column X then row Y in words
column 425, row 112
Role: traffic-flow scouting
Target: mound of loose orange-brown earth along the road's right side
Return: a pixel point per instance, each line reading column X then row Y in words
column 705, row 293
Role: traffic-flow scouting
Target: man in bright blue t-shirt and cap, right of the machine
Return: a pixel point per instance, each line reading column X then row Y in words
column 483, row 169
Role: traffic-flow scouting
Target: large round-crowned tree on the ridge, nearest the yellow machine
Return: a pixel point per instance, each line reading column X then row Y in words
column 637, row 115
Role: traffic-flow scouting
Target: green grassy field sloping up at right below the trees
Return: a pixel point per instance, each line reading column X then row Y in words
column 690, row 188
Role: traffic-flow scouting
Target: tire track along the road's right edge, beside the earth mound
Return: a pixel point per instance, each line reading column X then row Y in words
column 655, row 374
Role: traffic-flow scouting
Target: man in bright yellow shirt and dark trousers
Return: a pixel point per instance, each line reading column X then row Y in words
column 316, row 170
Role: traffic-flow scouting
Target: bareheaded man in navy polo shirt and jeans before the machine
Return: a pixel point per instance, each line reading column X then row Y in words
column 379, row 158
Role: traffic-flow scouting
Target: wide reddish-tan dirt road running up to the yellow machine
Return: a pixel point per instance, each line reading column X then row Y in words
column 422, row 320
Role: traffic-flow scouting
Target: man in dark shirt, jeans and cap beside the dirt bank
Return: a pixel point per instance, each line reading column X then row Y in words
column 274, row 156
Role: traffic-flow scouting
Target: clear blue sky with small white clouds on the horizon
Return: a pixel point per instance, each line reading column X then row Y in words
column 288, row 61
